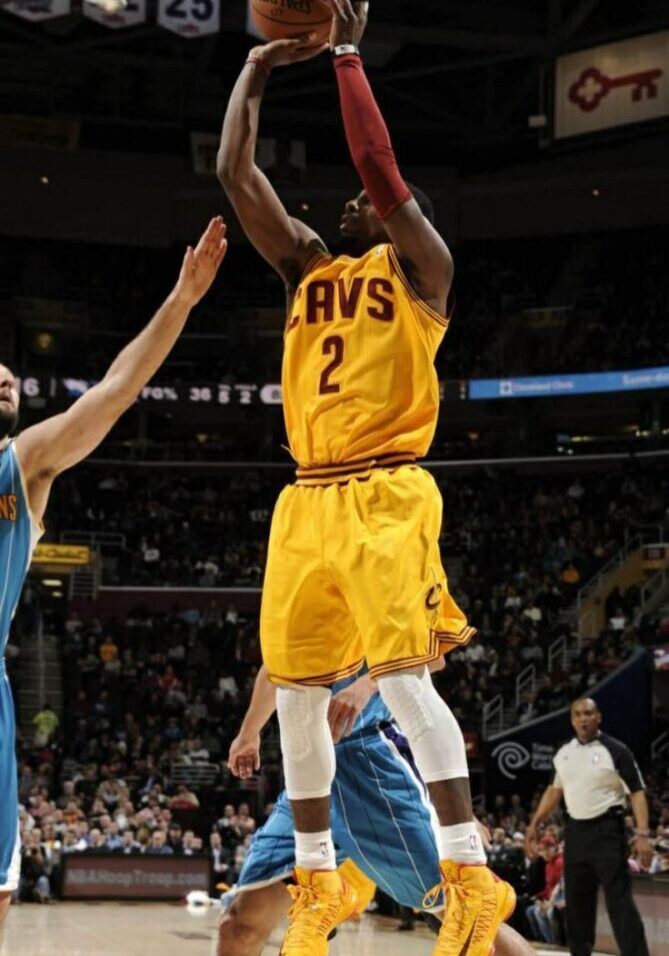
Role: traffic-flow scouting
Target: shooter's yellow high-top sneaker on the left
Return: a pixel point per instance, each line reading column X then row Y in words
column 322, row 901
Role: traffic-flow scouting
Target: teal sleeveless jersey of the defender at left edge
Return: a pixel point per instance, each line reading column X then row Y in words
column 18, row 537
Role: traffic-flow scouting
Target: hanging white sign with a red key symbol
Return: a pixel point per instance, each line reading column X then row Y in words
column 612, row 85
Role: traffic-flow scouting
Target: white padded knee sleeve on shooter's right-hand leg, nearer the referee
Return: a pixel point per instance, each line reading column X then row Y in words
column 433, row 732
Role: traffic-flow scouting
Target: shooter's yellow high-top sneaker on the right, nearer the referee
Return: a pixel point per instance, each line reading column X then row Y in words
column 477, row 903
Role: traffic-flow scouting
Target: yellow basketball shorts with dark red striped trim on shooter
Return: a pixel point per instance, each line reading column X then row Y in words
column 353, row 574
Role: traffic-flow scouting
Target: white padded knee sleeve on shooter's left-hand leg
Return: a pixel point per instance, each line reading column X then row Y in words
column 306, row 741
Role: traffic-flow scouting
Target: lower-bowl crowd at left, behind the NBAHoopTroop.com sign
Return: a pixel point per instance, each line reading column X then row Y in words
column 137, row 763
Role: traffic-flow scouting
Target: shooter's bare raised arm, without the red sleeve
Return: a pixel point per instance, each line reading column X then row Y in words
column 286, row 243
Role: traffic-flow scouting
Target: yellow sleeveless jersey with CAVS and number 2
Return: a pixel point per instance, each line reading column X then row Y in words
column 358, row 378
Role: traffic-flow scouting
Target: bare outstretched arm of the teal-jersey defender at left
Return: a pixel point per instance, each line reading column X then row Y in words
column 60, row 442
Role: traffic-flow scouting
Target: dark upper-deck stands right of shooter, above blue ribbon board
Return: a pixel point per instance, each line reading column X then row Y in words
column 564, row 304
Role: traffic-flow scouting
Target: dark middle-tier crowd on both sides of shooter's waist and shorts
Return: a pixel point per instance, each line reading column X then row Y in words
column 513, row 537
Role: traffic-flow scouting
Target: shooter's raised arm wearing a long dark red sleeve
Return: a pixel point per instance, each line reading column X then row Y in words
column 418, row 244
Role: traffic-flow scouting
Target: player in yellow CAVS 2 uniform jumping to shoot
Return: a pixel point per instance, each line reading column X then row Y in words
column 354, row 571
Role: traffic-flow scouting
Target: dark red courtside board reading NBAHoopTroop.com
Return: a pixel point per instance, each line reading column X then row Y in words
column 111, row 876
